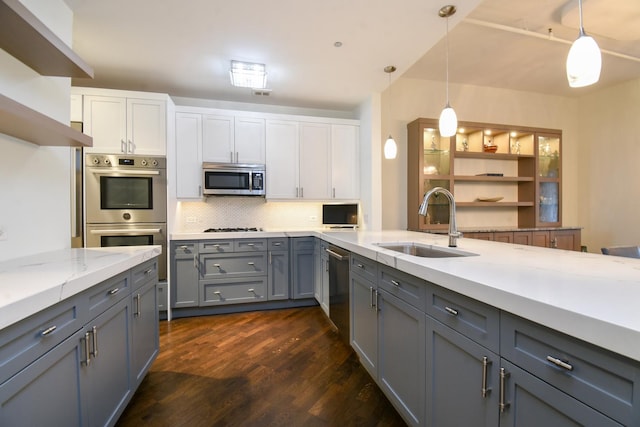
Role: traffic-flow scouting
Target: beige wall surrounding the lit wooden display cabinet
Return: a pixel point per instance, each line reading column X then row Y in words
column 411, row 99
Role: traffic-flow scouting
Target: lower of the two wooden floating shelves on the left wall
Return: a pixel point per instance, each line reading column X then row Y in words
column 24, row 123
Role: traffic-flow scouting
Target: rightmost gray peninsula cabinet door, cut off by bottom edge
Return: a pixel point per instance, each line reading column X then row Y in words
column 534, row 403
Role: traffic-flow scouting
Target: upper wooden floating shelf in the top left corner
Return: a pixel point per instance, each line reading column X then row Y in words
column 25, row 37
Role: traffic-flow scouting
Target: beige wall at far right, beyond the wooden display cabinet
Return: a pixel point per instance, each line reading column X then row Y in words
column 609, row 156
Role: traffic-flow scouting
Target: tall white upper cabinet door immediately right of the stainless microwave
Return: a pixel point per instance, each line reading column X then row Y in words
column 282, row 159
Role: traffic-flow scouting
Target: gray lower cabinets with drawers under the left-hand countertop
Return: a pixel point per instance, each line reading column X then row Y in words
column 83, row 376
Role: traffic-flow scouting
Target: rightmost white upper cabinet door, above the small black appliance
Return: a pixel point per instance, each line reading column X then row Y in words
column 345, row 163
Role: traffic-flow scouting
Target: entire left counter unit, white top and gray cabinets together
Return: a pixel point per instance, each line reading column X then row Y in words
column 78, row 333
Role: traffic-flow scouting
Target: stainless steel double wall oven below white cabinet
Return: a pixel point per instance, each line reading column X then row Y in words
column 126, row 202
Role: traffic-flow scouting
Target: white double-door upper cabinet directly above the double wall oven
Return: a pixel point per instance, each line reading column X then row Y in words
column 120, row 124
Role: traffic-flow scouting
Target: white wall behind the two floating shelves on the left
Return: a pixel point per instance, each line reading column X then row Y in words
column 34, row 180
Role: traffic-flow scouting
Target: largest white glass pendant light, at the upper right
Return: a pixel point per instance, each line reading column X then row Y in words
column 584, row 60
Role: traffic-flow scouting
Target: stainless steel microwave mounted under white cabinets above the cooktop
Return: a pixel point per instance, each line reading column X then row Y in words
column 233, row 179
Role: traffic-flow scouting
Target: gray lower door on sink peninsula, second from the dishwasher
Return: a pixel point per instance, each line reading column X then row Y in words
column 401, row 356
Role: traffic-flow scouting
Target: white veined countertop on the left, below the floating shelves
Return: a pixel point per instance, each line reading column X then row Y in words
column 32, row 283
